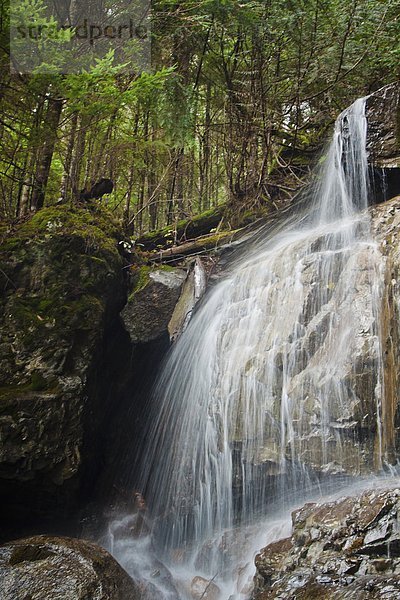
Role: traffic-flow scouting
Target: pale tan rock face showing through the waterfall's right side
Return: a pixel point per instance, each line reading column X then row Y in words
column 355, row 438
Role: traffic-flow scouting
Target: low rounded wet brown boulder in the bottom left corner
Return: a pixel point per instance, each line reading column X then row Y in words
column 60, row 568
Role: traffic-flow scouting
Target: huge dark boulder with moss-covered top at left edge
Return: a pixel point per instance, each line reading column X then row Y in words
column 63, row 287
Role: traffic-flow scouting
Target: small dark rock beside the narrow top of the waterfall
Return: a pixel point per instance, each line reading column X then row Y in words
column 383, row 137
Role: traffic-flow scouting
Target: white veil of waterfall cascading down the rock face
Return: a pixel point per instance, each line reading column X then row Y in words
column 258, row 396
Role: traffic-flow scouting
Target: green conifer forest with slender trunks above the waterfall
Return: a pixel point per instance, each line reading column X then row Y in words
column 232, row 108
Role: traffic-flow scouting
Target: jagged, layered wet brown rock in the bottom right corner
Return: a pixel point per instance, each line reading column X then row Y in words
column 345, row 549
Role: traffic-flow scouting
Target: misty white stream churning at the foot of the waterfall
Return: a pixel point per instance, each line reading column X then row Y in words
column 174, row 580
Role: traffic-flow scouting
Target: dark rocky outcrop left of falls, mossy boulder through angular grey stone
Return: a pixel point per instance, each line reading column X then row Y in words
column 73, row 373
